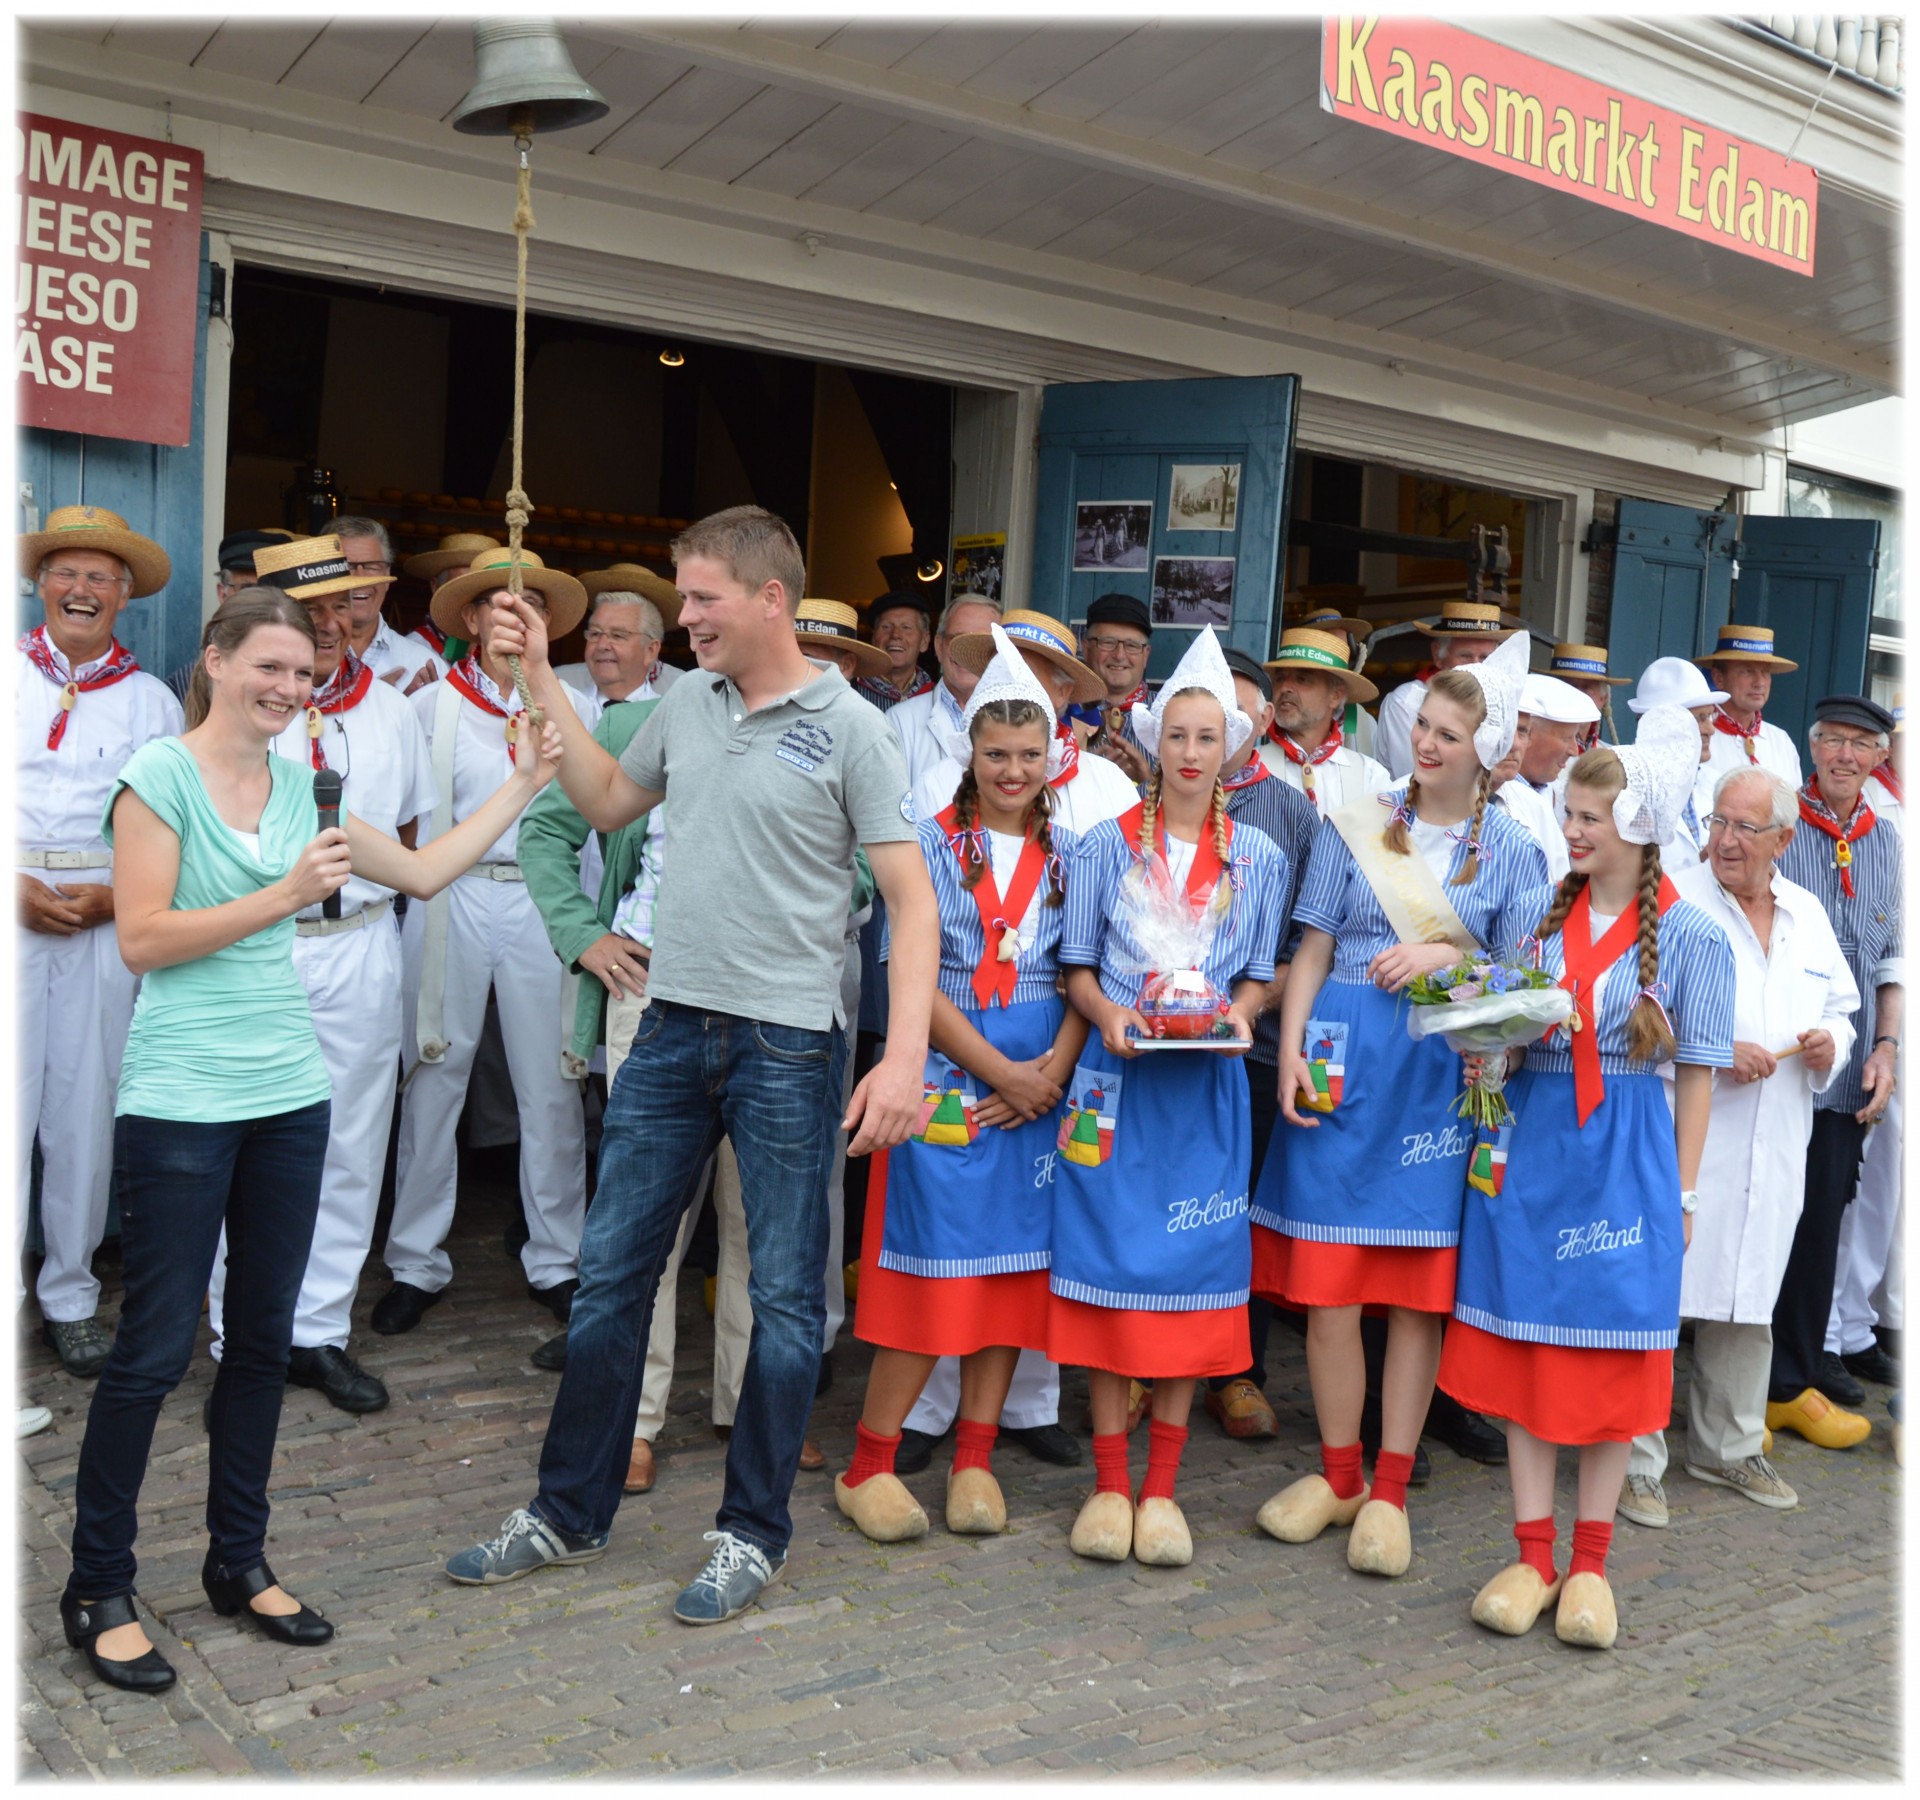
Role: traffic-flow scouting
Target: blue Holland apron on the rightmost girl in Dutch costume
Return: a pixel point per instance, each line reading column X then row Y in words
column 1583, row 1244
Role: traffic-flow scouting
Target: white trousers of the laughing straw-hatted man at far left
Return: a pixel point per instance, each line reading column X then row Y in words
column 74, row 1007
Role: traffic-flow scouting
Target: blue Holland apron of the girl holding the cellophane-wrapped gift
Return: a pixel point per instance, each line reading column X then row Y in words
column 1151, row 1183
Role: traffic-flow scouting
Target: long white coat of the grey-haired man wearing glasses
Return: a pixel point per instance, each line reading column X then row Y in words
column 1754, row 1170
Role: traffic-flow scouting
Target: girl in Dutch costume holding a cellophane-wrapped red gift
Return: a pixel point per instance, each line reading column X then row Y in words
column 1151, row 1248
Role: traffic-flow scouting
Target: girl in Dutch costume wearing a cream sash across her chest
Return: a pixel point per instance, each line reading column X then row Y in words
column 1360, row 1204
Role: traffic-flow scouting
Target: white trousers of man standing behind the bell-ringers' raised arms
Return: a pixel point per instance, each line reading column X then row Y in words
column 494, row 939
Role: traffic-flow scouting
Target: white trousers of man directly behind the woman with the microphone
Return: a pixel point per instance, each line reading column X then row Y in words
column 352, row 982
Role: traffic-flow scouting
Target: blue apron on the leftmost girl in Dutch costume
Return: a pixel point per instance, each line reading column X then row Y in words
column 969, row 1200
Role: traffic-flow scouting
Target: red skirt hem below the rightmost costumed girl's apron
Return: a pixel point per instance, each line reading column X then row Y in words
column 1558, row 1392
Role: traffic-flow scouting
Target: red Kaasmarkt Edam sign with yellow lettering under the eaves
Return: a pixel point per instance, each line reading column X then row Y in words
column 1479, row 101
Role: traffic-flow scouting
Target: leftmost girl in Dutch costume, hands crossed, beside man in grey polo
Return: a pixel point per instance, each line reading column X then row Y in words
column 959, row 1221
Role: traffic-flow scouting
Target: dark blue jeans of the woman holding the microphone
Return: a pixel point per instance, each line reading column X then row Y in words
column 178, row 1185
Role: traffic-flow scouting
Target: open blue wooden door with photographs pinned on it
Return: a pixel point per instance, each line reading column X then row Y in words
column 1174, row 492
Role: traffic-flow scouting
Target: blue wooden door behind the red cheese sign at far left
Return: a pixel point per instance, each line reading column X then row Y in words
column 156, row 490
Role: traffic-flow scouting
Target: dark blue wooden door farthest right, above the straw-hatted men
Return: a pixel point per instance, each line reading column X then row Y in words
column 1813, row 582
